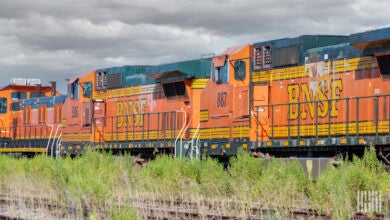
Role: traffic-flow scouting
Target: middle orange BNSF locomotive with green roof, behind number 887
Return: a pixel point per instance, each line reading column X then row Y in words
column 137, row 109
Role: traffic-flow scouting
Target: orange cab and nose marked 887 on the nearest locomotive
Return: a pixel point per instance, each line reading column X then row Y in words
column 224, row 107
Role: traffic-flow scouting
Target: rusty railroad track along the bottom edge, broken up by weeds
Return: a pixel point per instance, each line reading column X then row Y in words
column 173, row 209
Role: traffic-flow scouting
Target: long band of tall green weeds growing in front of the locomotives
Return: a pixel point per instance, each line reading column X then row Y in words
column 101, row 186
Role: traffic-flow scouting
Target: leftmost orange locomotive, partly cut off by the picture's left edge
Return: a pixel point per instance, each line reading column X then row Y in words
column 30, row 117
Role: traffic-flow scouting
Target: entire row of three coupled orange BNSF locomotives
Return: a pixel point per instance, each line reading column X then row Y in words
column 309, row 96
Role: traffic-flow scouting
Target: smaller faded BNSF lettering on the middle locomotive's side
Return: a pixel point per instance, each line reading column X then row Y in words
column 133, row 110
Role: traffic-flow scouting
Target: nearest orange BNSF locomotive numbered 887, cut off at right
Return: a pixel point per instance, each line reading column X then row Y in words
column 310, row 96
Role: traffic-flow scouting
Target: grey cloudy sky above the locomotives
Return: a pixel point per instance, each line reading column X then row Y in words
column 55, row 40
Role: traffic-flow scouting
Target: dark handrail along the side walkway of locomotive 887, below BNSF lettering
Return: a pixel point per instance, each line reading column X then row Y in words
column 351, row 104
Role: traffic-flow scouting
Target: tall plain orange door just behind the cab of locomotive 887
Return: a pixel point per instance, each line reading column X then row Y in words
column 260, row 111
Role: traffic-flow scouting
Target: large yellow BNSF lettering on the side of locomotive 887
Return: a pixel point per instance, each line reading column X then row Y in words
column 320, row 93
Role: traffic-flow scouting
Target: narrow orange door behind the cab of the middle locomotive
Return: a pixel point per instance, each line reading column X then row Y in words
column 98, row 117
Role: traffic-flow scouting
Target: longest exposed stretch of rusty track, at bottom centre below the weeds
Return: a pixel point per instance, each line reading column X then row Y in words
column 162, row 209
